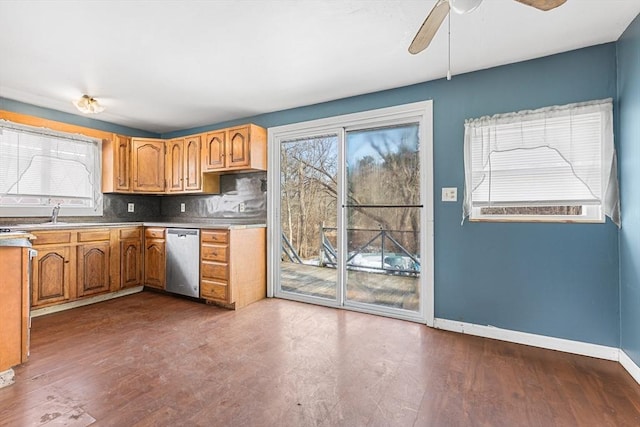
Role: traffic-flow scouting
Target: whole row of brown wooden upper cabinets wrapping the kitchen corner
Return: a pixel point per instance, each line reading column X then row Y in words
column 190, row 164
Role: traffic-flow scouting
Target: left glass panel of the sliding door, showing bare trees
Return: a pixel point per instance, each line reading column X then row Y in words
column 308, row 216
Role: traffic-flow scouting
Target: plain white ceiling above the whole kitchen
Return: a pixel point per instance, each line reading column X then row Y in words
column 172, row 65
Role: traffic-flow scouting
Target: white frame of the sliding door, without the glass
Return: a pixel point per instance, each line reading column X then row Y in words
column 419, row 112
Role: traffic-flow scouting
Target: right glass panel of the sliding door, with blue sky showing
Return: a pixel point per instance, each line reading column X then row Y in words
column 382, row 208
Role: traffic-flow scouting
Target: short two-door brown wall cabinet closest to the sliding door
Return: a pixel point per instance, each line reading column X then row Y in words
column 234, row 149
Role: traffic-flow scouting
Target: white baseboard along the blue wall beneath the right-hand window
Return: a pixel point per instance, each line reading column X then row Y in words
column 551, row 343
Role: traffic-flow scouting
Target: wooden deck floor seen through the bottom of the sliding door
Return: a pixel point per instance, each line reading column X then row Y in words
column 373, row 288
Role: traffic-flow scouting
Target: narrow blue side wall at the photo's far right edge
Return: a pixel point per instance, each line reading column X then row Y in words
column 629, row 142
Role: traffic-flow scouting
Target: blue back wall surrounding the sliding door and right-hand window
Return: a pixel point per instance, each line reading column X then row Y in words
column 558, row 280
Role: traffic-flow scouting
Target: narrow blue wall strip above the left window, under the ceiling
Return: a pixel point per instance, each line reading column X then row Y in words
column 59, row 116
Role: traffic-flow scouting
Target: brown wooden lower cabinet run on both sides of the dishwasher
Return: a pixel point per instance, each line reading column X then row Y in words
column 74, row 264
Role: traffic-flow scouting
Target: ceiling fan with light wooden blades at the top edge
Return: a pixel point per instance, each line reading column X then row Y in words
column 440, row 11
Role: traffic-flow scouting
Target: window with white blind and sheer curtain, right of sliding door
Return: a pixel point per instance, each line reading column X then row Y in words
column 552, row 164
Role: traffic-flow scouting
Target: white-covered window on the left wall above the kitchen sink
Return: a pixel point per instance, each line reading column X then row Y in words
column 40, row 168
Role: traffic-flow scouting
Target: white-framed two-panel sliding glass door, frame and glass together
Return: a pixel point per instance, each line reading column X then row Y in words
column 350, row 225
